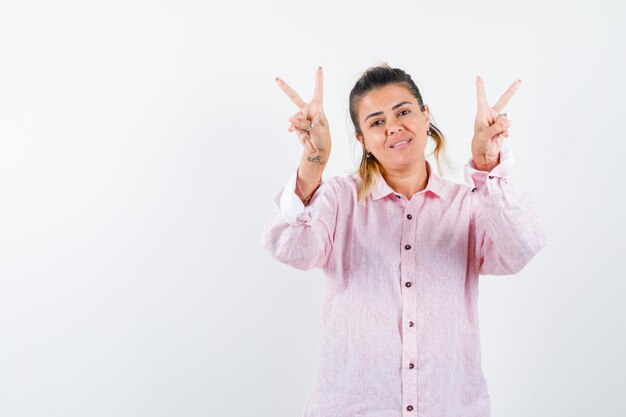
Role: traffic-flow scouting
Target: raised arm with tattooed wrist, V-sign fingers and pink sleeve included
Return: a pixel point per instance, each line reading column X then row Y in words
column 300, row 232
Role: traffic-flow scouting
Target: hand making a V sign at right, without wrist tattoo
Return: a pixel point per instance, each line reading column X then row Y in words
column 490, row 126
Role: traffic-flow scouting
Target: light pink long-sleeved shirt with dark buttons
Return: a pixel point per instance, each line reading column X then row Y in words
column 400, row 330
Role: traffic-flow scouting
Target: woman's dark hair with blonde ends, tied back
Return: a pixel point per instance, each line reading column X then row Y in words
column 377, row 77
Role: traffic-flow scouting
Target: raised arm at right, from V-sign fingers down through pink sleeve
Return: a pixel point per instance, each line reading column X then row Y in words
column 505, row 230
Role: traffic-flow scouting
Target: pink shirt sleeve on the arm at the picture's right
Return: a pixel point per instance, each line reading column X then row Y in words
column 505, row 228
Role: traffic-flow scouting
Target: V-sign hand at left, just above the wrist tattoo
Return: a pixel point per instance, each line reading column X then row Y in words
column 317, row 139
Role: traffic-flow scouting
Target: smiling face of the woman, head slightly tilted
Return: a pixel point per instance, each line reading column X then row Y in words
column 387, row 116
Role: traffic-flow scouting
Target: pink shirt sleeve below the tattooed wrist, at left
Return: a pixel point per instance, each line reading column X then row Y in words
column 302, row 236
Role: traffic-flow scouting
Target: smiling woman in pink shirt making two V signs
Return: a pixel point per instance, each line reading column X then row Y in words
column 401, row 249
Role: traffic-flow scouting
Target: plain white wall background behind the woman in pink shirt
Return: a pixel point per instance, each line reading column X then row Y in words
column 141, row 144
